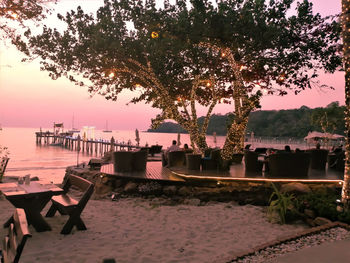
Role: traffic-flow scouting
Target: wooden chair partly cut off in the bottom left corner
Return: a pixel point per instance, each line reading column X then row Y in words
column 18, row 234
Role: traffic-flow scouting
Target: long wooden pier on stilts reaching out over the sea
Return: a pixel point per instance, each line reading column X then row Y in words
column 87, row 146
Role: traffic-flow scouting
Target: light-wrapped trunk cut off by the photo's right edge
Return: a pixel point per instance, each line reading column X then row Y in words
column 346, row 56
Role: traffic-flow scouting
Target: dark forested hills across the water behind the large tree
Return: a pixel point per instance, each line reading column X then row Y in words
column 275, row 123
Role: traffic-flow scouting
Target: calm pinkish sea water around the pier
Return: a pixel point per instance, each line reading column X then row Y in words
column 50, row 162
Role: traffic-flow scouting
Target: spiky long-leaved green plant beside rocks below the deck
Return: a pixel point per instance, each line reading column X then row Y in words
column 280, row 204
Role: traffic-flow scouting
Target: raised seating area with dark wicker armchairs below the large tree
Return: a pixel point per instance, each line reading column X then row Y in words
column 259, row 162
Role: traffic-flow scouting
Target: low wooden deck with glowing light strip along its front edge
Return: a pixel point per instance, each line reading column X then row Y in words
column 155, row 171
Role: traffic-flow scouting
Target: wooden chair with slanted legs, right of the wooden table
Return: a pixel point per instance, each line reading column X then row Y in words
column 66, row 205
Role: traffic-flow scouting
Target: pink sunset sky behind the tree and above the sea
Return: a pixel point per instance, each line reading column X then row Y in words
column 29, row 98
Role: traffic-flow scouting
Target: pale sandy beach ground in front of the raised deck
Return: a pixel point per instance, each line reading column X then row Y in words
column 140, row 230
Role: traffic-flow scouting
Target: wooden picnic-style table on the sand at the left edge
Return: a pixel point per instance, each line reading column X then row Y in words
column 32, row 198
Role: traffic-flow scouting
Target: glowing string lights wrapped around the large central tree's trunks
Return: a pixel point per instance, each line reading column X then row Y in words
column 177, row 109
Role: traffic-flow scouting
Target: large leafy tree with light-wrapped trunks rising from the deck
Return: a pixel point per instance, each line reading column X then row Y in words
column 178, row 57
